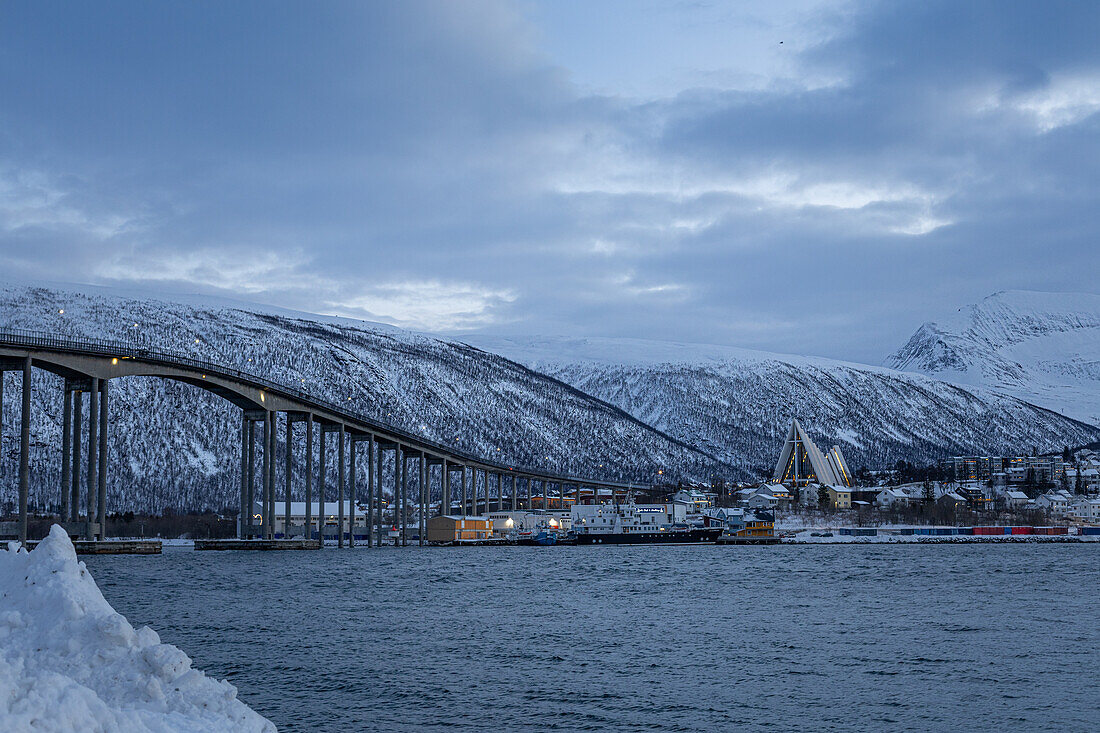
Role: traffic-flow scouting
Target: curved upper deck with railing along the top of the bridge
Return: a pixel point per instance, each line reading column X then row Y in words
column 138, row 349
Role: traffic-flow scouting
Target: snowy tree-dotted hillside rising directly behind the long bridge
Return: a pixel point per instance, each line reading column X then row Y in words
column 177, row 445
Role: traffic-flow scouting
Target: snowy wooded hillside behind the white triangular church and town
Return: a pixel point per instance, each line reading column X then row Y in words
column 739, row 403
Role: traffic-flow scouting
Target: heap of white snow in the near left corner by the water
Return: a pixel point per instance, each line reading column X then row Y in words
column 69, row 662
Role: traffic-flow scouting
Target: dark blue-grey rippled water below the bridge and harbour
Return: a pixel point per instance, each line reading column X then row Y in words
column 647, row 639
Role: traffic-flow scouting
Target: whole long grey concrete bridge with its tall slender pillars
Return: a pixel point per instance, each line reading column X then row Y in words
column 87, row 367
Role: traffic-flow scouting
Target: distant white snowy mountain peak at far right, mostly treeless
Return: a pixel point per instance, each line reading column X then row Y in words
column 1041, row 347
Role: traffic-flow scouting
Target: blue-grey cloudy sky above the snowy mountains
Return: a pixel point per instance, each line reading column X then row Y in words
column 796, row 176
